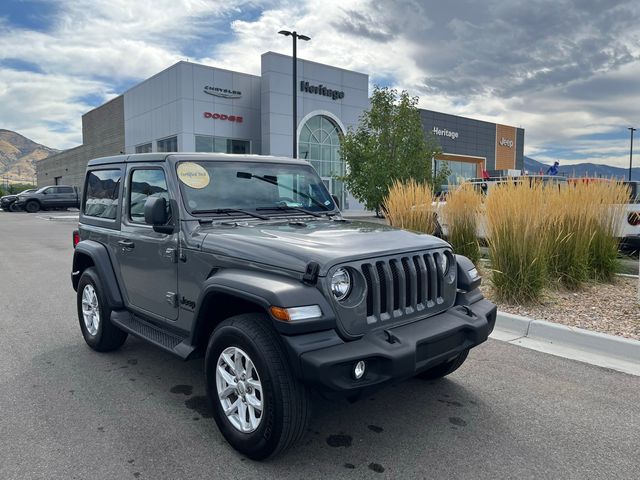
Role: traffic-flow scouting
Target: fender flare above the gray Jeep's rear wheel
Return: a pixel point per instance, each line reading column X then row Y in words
column 99, row 255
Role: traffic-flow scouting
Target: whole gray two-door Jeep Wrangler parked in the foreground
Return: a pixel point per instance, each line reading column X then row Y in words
column 247, row 261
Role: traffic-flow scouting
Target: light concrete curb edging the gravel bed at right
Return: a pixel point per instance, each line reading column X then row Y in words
column 611, row 351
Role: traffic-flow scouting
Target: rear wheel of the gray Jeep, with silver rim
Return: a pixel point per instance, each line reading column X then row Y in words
column 95, row 315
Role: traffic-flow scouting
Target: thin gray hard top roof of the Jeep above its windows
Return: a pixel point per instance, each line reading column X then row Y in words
column 178, row 156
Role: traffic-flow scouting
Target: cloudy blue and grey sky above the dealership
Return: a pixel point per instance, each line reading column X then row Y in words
column 566, row 71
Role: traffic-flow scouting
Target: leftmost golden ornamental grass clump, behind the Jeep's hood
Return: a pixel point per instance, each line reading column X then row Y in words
column 409, row 205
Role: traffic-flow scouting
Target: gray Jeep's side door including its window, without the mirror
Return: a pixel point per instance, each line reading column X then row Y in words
column 147, row 259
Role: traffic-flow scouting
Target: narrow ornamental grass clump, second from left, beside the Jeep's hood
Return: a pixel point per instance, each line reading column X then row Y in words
column 461, row 213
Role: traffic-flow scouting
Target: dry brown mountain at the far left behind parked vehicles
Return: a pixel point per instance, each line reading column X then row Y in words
column 18, row 156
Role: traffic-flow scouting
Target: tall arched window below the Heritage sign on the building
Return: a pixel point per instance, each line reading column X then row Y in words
column 319, row 144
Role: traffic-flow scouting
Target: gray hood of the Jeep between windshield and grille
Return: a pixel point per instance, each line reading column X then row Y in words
column 294, row 245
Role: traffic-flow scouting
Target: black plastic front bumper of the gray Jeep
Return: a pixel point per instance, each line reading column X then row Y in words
column 326, row 361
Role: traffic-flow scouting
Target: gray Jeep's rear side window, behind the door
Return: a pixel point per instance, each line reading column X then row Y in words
column 101, row 194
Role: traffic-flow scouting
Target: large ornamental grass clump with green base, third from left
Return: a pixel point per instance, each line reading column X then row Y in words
column 518, row 240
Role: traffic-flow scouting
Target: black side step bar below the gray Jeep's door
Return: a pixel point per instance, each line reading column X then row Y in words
column 169, row 341
